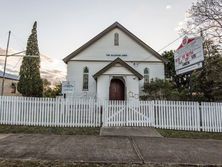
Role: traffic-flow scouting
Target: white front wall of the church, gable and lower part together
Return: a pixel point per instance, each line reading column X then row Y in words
column 95, row 58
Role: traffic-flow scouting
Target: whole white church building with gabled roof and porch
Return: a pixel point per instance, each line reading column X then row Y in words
column 114, row 65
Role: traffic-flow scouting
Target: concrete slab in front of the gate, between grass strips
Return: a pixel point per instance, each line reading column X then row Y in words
column 129, row 131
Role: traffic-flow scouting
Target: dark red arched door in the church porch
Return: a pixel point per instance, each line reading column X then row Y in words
column 116, row 90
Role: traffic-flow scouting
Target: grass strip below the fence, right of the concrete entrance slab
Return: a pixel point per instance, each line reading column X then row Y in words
column 189, row 134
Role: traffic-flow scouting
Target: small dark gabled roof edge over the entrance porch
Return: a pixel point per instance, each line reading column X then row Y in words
column 124, row 64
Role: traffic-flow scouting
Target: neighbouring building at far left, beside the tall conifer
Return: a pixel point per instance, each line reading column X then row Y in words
column 10, row 84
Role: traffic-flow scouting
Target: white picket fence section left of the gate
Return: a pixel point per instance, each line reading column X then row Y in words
column 49, row 112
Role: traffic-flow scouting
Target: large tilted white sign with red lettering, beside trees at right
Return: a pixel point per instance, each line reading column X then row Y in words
column 189, row 56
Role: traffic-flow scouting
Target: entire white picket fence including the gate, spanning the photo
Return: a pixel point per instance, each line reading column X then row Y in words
column 61, row 112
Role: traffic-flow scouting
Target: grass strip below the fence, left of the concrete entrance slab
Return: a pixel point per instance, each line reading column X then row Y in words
column 48, row 130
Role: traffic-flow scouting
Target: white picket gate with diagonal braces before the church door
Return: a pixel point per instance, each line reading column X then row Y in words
column 128, row 113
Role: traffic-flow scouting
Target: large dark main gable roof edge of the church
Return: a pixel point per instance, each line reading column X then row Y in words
column 110, row 28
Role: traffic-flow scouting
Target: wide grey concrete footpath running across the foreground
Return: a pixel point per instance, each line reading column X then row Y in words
column 111, row 149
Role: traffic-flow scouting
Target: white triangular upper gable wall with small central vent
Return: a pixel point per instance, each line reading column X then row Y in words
column 99, row 49
